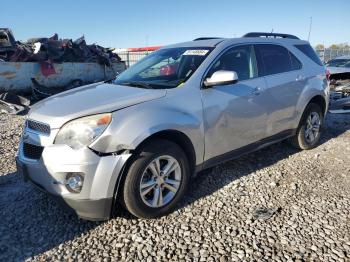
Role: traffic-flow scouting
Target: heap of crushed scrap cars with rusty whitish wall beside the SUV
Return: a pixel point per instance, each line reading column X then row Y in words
column 45, row 66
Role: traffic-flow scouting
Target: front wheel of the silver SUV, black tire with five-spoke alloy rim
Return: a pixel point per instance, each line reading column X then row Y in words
column 143, row 175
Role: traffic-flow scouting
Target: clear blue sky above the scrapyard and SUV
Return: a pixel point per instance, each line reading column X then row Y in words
column 135, row 23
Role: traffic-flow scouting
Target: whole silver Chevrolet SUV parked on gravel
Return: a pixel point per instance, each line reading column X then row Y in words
column 184, row 108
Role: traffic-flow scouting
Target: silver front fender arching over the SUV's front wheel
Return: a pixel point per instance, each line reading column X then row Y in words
column 131, row 126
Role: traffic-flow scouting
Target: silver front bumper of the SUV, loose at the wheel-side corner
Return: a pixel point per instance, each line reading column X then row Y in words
column 50, row 169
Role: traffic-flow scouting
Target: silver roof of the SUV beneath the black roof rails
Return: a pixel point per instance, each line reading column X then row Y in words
column 212, row 42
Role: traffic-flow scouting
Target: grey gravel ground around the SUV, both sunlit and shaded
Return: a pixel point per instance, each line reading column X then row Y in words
column 276, row 204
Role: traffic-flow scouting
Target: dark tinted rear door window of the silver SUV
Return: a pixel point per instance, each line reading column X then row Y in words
column 274, row 59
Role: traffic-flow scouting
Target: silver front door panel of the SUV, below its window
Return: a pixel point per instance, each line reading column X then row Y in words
column 238, row 120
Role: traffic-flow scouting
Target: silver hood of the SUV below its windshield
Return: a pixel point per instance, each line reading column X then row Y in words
column 88, row 100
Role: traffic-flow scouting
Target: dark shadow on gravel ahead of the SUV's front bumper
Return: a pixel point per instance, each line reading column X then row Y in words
column 32, row 222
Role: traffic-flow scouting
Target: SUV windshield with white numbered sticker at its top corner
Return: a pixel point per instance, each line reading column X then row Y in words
column 165, row 68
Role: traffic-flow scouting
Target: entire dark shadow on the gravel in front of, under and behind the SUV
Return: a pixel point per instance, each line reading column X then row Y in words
column 26, row 213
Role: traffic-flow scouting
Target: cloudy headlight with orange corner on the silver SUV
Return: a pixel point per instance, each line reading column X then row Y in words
column 83, row 131
